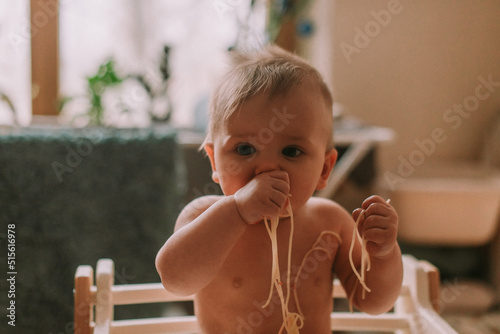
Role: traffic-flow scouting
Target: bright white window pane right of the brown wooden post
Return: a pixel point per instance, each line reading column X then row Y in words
column 134, row 34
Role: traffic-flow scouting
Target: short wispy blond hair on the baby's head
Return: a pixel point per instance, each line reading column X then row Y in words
column 271, row 70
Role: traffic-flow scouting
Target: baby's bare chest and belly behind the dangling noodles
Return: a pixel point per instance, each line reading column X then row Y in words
column 245, row 280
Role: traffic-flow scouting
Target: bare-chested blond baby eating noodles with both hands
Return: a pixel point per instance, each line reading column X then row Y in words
column 270, row 147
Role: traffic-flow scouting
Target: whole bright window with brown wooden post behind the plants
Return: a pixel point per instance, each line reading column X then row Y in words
column 71, row 38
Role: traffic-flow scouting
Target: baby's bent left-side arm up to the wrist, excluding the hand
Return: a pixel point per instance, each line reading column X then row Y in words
column 205, row 232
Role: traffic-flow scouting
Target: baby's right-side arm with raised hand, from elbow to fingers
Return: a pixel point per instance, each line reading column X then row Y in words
column 379, row 228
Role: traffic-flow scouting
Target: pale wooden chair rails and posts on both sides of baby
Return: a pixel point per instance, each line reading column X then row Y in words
column 414, row 311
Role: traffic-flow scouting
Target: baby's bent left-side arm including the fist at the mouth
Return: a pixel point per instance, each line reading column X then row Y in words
column 209, row 227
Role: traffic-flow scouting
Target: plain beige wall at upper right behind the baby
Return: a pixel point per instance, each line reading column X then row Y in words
column 411, row 65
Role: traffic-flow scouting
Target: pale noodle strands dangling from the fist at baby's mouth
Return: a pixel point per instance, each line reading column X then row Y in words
column 292, row 322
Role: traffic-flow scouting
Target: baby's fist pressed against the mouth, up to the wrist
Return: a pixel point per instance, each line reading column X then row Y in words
column 264, row 196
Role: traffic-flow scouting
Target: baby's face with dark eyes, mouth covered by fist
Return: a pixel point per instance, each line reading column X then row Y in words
column 289, row 133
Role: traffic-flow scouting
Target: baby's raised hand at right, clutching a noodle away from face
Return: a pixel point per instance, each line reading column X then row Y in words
column 379, row 226
